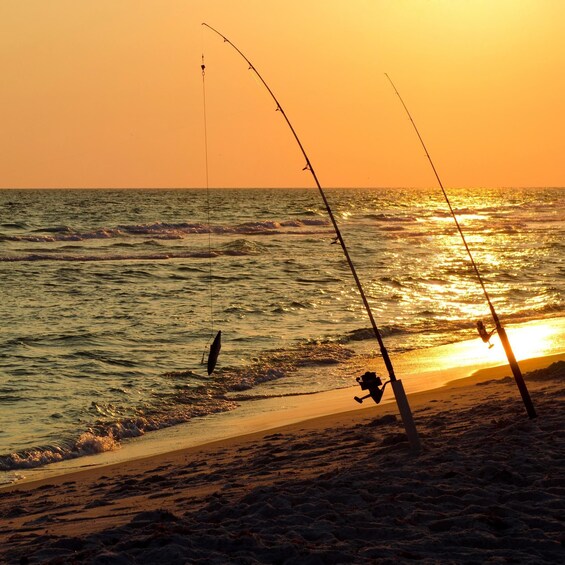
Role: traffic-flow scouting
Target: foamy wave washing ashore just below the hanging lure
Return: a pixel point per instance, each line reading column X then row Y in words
column 192, row 396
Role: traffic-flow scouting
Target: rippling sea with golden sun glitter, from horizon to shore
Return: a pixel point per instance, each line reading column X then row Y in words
column 110, row 297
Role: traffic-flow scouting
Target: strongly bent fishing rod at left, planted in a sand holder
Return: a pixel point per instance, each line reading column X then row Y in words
column 396, row 384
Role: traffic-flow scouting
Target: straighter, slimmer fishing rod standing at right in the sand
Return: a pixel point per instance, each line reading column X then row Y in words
column 499, row 328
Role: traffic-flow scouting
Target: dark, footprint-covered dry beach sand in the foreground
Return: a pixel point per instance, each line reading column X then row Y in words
column 488, row 488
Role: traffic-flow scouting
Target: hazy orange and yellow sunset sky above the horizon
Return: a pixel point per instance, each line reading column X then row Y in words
column 110, row 94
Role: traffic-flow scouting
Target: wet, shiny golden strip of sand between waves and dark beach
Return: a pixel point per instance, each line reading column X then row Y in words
column 424, row 370
